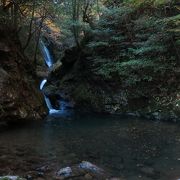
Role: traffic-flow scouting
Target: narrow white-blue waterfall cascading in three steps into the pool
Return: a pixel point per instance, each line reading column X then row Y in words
column 49, row 62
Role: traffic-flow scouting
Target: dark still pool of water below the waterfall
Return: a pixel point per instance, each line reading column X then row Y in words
column 126, row 147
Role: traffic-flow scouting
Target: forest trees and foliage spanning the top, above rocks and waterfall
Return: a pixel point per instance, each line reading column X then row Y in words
column 133, row 43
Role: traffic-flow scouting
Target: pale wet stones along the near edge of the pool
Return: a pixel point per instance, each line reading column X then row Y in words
column 82, row 171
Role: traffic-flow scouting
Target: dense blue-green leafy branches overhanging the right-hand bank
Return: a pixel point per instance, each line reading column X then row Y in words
column 132, row 47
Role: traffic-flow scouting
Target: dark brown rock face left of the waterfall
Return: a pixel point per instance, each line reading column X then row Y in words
column 19, row 95
